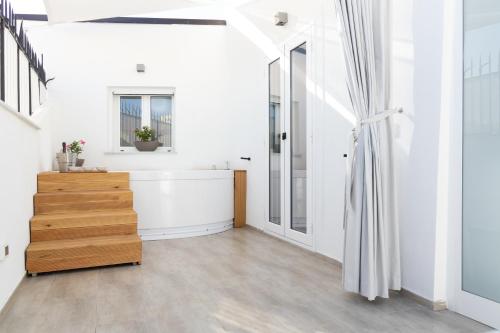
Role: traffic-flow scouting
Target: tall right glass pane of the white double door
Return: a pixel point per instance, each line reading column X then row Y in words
column 298, row 121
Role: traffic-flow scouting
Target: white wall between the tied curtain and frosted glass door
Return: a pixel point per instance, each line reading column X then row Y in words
column 424, row 35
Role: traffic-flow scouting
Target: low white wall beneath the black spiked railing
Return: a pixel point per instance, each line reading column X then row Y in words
column 24, row 154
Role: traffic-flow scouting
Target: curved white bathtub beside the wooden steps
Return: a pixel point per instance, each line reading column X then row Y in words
column 182, row 203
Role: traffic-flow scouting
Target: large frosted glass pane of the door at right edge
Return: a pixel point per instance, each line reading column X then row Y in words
column 481, row 149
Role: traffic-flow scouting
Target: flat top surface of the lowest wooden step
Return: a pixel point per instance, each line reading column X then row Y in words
column 82, row 242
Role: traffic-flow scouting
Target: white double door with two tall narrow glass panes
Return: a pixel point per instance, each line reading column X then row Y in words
column 290, row 140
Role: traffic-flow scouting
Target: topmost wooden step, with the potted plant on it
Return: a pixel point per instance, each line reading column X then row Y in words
column 70, row 182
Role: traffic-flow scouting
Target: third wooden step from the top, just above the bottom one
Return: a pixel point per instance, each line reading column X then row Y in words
column 80, row 225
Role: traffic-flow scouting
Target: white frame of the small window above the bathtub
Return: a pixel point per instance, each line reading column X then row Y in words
column 114, row 94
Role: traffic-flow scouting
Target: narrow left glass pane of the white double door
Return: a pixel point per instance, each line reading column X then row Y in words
column 274, row 143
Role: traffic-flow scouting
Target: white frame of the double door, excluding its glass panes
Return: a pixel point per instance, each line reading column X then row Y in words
column 284, row 230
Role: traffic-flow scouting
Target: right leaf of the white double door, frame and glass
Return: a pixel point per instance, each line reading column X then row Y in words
column 298, row 145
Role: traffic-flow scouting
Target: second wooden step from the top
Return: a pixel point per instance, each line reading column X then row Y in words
column 68, row 202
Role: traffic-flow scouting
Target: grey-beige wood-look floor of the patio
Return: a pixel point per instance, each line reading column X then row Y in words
column 237, row 281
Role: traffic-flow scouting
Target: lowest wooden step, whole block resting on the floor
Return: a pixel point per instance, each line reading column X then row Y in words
column 81, row 253
